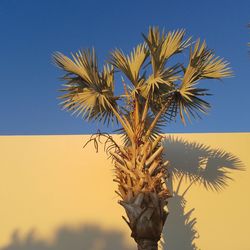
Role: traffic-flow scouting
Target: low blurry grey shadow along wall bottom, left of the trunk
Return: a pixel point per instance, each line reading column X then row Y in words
column 86, row 237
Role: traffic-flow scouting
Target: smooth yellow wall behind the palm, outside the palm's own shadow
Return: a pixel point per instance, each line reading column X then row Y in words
column 52, row 192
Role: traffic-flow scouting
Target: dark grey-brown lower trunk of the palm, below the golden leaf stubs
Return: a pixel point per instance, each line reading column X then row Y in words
column 146, row 216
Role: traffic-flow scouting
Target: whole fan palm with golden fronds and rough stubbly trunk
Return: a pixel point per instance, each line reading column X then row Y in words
column 155, row 93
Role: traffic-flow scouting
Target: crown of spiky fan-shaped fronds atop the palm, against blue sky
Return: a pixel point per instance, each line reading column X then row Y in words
column 157, row 91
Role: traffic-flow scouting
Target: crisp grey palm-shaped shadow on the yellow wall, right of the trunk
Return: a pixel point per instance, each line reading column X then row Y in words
column 195, row 164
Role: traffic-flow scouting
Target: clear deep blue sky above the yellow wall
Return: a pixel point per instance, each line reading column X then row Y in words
column 32, row 30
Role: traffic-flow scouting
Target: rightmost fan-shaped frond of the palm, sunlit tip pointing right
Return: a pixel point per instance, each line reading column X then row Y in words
column 202, row 64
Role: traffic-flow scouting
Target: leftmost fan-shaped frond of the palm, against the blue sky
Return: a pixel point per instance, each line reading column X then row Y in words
column 89, row 93
